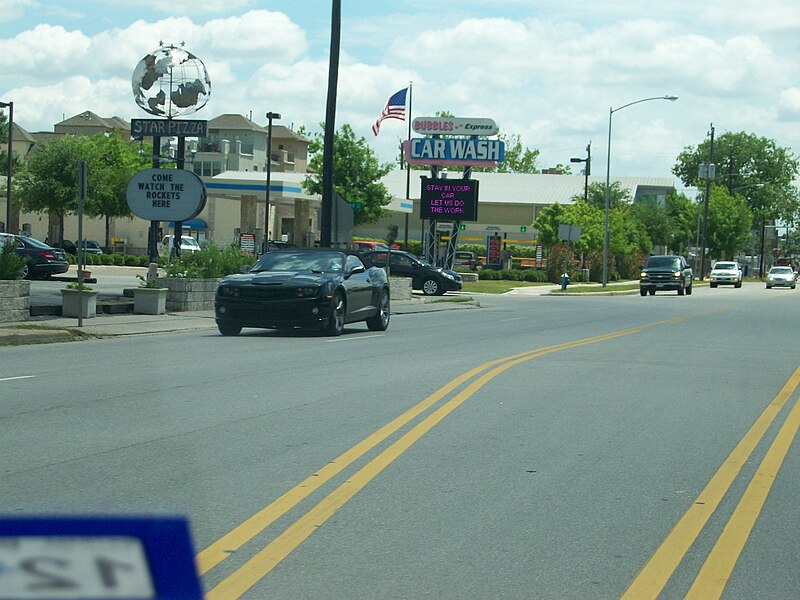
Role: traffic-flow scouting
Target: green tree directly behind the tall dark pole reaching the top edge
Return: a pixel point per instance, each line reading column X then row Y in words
column 356, row 173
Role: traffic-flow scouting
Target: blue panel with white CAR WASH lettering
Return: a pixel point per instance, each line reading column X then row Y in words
column 467, row 152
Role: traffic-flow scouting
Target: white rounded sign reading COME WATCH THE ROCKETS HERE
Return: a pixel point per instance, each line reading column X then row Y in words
column 166, row 195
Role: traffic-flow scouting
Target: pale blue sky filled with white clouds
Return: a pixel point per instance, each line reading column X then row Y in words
column 549, row 72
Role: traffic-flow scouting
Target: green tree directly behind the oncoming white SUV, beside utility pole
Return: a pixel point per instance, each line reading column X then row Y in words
column 729, row 224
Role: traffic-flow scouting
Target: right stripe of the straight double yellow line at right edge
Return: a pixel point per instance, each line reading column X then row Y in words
column 717, row 569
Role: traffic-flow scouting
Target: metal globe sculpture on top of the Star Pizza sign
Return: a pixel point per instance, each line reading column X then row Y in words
column 171, row 82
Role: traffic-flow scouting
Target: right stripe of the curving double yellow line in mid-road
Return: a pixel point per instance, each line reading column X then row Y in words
column 267, row 559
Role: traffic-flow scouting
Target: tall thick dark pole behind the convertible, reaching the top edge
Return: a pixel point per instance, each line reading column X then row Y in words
column 326, row 216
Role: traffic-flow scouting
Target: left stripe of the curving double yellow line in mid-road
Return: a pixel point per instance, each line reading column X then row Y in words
column 218, row 551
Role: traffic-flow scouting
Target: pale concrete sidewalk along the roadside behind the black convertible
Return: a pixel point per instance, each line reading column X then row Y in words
column 58, row 329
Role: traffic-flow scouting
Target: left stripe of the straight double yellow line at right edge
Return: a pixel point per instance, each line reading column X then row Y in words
column 654, row 575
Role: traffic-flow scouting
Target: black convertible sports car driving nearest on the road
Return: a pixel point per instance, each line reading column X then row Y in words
column 309, row 288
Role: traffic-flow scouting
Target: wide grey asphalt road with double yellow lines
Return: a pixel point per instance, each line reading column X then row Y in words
column 540, row 447
